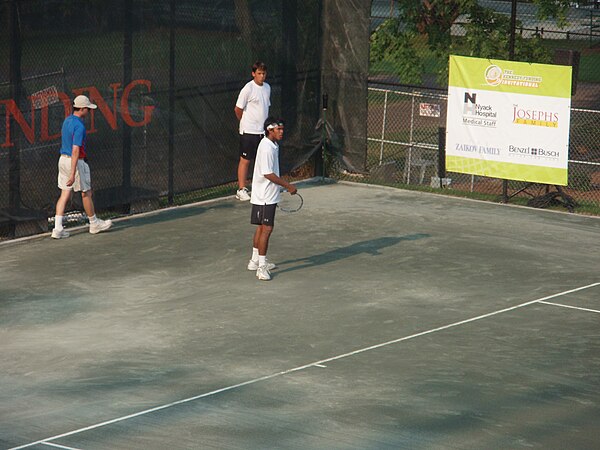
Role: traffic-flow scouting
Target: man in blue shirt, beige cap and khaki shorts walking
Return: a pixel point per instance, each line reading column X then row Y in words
column 73, row 170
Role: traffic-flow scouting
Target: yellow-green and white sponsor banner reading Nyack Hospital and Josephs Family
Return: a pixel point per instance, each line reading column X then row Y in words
column 507, row 131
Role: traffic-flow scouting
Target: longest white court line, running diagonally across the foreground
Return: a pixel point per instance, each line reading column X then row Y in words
column 306, row 366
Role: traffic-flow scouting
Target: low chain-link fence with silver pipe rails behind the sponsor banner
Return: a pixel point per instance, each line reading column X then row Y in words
column 404, row 129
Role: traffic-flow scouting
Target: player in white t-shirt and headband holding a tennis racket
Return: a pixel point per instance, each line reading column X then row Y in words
column 266, row 192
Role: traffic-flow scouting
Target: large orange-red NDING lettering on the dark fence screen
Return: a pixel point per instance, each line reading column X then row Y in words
column 38, row 129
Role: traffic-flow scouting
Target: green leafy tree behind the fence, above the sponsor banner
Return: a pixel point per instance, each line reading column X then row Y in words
column 429, row 23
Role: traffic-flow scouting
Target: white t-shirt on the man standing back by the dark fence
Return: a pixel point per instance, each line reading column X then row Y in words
column 254, row 100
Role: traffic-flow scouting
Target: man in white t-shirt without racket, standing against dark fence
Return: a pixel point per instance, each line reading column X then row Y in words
column 251, row 109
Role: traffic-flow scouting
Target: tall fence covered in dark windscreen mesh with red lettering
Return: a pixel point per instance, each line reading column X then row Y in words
column 165, row 75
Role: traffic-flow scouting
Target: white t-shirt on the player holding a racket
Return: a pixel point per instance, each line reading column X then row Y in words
column 264, row 191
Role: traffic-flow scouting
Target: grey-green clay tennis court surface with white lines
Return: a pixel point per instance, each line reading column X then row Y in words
column 395, row 319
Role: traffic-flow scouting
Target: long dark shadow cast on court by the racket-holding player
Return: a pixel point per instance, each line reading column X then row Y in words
column 371, row 247
